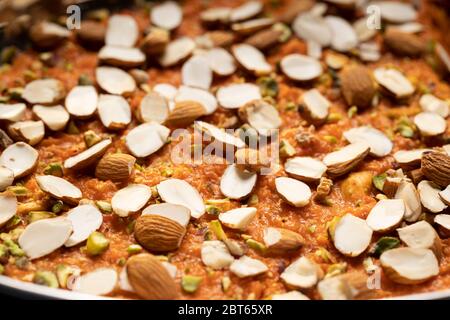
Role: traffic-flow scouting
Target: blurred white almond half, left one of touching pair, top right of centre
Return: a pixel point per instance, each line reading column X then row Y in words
column 312, row 27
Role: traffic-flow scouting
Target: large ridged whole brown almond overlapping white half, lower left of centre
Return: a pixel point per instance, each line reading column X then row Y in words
column 157, row 233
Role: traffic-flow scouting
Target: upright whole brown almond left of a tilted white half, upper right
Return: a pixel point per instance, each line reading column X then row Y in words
column 357, row 86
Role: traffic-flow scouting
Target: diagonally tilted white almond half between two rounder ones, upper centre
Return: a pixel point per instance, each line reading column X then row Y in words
column 251, row 59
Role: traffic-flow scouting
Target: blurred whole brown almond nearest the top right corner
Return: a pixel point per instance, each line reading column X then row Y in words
column 404, row 44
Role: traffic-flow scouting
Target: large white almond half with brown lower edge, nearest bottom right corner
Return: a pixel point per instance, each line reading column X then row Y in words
column 409, row 265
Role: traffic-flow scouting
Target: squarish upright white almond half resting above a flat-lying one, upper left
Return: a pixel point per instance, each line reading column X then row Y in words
column 122, row 31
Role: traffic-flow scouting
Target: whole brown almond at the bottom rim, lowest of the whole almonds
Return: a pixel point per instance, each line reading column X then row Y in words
column 150, row 279
